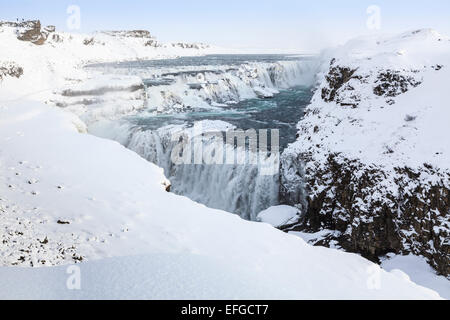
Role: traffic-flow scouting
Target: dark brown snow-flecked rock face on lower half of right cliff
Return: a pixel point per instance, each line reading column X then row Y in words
column 374, row 220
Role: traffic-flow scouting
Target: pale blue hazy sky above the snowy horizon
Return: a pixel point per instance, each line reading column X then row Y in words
column 258, row 24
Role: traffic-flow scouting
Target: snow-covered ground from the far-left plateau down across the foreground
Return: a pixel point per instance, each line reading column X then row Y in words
column 69, row 197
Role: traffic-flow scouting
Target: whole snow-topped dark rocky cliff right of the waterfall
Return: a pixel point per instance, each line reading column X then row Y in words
column 372, row 161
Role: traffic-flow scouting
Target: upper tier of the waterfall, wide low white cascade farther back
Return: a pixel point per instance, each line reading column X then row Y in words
column 196, row 89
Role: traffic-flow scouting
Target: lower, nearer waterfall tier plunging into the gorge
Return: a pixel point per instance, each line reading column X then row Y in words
column 243, row 187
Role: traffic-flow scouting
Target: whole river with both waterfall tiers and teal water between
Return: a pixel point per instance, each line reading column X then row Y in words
column 195, row 95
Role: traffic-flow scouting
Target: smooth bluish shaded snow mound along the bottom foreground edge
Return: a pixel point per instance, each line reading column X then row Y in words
column 157, row 276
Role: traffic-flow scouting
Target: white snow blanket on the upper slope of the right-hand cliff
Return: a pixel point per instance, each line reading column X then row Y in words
column 368, row 133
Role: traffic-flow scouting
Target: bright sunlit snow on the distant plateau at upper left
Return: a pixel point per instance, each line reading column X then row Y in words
column 51, row 66
